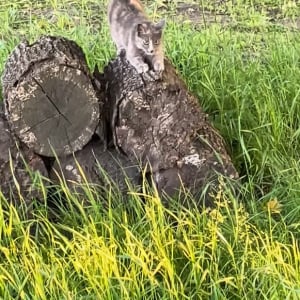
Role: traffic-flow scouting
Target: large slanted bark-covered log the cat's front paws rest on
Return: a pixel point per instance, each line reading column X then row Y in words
column 159, row 123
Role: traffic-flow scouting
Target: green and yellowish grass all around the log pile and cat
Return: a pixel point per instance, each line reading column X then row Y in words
column 246, row 75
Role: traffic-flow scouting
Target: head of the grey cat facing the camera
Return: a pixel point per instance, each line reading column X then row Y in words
column 148, row 36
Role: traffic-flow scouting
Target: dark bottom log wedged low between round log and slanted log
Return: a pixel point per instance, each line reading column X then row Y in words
column 100, row 167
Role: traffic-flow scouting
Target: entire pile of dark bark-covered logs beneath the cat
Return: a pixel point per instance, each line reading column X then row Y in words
column 147, row 124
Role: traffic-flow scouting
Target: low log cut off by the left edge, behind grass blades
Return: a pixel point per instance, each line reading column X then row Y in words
column 18, row 166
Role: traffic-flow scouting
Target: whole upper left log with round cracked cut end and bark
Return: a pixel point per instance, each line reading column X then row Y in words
column 50, row 101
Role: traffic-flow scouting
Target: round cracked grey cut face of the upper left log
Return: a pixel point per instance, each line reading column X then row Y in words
column 54, row 108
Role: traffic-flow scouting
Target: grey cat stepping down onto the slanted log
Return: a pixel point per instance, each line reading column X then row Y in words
column 132, row 30
